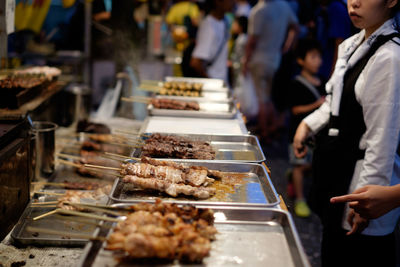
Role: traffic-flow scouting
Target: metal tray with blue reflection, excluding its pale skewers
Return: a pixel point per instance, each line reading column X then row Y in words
column 256, row 190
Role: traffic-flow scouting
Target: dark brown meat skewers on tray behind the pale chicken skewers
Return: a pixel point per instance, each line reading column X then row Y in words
column 168, row 146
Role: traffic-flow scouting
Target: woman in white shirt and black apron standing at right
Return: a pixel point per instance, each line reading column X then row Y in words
column 358, row 133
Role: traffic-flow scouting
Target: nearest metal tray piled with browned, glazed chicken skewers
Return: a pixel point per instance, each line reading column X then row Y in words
column 165, row 234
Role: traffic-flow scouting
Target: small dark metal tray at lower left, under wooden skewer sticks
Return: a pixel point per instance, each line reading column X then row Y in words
column 54, row 222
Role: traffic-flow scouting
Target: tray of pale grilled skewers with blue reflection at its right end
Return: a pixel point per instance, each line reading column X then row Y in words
column 191, row 182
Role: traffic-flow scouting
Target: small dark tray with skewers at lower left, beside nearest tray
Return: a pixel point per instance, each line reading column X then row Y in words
column 55, row 209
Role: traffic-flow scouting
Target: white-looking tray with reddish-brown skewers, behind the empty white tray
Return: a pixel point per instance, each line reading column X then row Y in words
column 171, row 107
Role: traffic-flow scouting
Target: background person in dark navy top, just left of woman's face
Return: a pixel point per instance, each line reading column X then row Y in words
column 333, row 25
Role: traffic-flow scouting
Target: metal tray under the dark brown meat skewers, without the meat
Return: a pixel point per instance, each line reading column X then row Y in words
column 235, row 148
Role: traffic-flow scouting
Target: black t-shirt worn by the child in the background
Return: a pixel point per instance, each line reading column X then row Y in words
column 300, row 94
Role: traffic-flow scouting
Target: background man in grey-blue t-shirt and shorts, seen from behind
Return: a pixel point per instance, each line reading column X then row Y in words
column 272, row 31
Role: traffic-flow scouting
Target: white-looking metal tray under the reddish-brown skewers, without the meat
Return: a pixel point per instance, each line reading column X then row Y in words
column 214, row 110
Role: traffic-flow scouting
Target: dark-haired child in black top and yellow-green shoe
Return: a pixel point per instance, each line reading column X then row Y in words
column 305, row 95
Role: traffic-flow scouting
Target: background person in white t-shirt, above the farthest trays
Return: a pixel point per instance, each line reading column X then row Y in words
column 210, row 54
